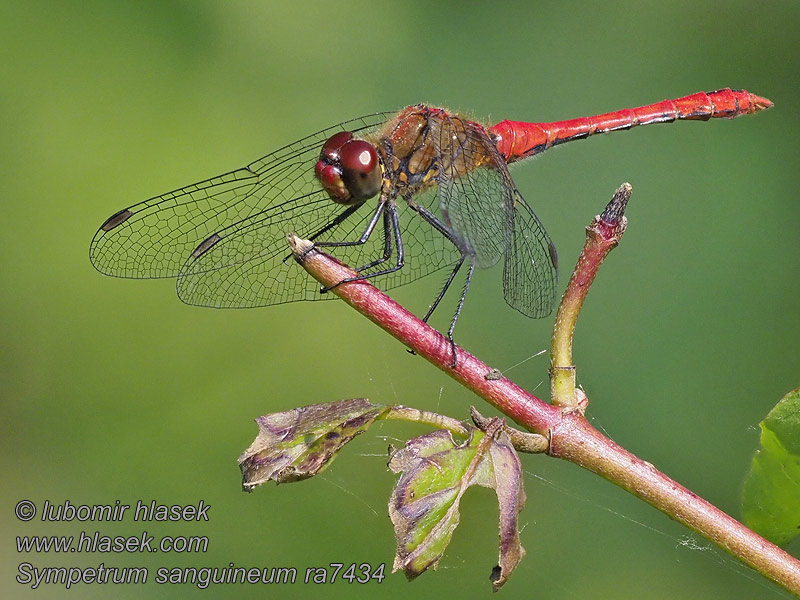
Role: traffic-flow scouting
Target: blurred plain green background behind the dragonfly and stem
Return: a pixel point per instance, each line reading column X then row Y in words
column 113, row 389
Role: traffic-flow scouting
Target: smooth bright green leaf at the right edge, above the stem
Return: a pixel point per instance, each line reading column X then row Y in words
column 771, row 499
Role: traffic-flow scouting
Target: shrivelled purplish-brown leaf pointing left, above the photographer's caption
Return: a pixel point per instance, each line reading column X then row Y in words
column 299, row 443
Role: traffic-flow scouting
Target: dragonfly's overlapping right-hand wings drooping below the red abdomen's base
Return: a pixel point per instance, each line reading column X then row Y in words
column 479, row 200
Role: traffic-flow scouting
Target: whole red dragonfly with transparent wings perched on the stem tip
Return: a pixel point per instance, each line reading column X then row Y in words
column 225, row 238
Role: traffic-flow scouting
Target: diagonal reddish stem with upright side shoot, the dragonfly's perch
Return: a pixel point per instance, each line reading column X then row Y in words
column 571, row 436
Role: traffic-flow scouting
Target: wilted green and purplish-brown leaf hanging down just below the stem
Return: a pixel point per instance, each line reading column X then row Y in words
column 425, row 501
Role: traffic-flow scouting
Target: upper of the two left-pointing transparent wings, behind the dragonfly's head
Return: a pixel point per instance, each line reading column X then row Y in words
column 154, row 238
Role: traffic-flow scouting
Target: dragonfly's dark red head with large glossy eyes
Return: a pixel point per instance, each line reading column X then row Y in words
column 349, row 169
